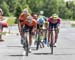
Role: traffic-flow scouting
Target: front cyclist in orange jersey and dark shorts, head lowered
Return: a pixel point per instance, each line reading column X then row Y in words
column 31, row 25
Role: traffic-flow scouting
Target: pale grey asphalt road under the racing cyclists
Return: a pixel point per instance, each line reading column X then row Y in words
column 11, row 49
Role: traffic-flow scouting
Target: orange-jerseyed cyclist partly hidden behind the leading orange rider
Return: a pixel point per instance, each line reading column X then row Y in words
column 22, row 18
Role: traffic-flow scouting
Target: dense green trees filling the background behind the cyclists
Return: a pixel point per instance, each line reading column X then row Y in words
column 63, row 9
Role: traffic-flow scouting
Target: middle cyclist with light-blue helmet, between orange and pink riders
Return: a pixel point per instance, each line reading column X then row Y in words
column 40, row 26
